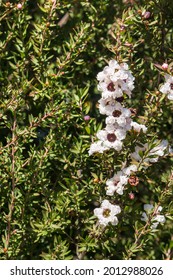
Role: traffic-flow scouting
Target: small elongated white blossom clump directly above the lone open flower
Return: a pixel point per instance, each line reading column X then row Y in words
column 119, row 180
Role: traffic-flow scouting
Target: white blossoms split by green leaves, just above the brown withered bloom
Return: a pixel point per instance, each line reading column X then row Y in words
column 150, row 155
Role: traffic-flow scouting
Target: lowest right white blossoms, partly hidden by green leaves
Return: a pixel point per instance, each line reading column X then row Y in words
column 157, row 217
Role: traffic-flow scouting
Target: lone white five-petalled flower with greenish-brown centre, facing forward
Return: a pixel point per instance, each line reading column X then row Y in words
column 107, row 213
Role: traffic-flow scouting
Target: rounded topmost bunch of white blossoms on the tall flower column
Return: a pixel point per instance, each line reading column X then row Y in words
column 115, row 80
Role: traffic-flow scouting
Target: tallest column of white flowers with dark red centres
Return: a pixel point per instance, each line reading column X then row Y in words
column 115, row 81
